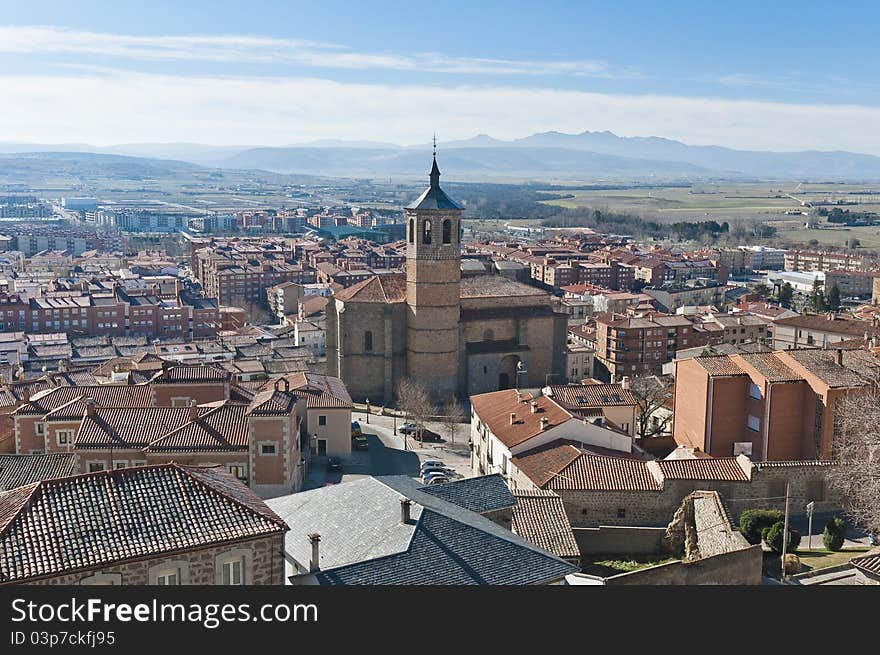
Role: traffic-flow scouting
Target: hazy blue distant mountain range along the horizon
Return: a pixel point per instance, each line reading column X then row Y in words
column 547, row 156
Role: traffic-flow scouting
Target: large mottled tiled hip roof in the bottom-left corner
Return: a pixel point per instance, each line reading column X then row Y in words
column 90, row 521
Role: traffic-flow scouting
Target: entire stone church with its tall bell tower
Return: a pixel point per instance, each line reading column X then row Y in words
column 455, row 335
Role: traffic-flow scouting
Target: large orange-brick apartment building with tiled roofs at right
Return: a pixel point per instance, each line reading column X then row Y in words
column 771, row 406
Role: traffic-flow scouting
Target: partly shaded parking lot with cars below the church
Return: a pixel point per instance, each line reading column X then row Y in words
column 388, row 454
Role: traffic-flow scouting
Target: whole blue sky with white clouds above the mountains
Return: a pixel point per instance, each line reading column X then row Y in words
column 748, row 75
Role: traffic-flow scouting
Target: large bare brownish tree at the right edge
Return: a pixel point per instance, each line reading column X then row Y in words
column 856, row 448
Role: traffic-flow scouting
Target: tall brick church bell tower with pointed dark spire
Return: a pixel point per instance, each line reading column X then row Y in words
column 433, row 277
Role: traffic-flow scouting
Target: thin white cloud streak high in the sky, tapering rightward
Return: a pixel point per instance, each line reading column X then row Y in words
column 34, row 40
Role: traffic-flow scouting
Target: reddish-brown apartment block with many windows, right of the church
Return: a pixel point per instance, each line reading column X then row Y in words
column 631, row 347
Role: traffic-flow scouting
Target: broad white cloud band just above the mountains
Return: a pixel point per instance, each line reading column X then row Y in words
column 122, row 107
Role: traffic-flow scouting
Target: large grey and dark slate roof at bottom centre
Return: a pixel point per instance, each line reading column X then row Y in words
column 364, row 542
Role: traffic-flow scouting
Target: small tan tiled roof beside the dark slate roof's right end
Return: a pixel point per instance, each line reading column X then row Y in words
column 539, row 517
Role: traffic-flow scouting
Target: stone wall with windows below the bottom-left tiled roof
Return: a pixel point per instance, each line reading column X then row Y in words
column 264, row 557
